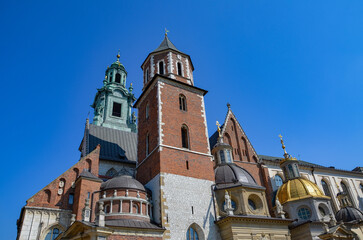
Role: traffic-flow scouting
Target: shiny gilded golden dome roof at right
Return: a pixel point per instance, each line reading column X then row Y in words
column 299, row 188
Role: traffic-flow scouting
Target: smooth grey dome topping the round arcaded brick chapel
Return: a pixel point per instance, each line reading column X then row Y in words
column 124, row 182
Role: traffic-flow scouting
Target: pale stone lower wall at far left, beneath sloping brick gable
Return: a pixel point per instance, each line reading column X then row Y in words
column 37, row 222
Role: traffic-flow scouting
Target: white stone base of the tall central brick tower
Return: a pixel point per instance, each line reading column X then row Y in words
column 187, row 201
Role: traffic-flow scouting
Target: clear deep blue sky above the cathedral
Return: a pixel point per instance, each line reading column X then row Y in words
column 289, row 67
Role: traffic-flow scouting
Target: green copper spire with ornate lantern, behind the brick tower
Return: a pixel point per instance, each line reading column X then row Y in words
column 113, row 102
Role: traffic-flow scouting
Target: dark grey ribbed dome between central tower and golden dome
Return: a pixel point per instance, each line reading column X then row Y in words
column 231, row 175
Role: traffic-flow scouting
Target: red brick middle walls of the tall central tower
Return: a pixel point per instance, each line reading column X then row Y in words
column 173, row 160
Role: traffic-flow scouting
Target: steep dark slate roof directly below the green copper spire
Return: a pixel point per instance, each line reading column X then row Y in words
column 116, row 145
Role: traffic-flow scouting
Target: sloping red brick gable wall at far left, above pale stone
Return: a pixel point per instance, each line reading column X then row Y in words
column 61, row 201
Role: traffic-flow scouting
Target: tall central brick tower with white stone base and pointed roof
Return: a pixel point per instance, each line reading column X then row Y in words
column 174, row 159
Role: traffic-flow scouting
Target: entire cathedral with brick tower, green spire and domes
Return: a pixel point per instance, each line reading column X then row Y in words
column 159, row 175
